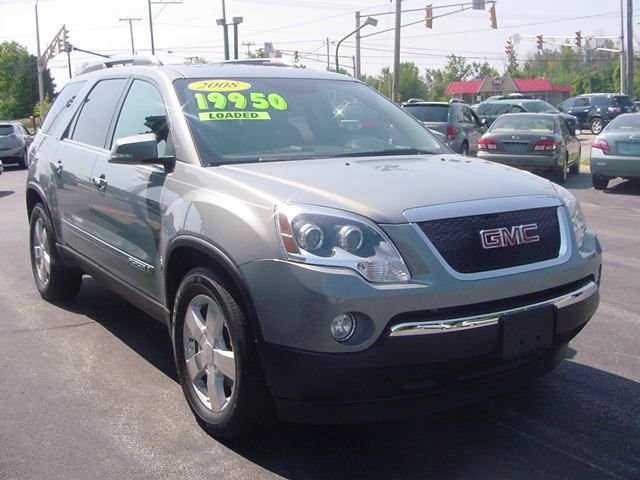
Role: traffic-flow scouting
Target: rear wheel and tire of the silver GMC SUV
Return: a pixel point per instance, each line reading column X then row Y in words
column 54, row 281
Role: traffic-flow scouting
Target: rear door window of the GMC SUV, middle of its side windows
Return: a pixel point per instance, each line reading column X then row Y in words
column 97, row 111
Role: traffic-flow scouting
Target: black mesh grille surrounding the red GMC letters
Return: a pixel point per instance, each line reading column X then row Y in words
column 458, row 239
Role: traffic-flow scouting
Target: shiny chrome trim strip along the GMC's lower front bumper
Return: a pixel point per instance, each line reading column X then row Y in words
column 456, row 324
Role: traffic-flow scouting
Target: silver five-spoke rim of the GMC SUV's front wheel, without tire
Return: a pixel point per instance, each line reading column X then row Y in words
column 208, row 353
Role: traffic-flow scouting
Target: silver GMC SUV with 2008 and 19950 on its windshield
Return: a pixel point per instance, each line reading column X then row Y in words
column 308, row 269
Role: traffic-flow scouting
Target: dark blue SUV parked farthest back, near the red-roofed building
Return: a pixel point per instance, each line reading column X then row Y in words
column 595, row 110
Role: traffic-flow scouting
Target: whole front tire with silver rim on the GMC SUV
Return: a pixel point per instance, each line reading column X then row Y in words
column 216, row 359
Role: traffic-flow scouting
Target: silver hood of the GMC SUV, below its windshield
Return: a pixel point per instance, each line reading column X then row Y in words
column 382, row 188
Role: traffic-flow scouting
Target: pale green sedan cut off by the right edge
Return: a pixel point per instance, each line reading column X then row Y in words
column 616, row 151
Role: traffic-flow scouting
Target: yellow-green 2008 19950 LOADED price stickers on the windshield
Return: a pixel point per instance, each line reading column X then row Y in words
column 226, row 101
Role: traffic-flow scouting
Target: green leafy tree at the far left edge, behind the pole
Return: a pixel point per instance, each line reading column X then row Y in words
column 19, row 81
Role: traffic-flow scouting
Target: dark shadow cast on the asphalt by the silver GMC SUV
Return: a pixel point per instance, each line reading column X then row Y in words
column 577, row 422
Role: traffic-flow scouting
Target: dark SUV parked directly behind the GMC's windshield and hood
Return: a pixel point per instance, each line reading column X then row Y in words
column 456, row 120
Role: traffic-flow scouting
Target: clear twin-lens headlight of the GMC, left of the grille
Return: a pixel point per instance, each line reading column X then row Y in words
column 323, row 236
